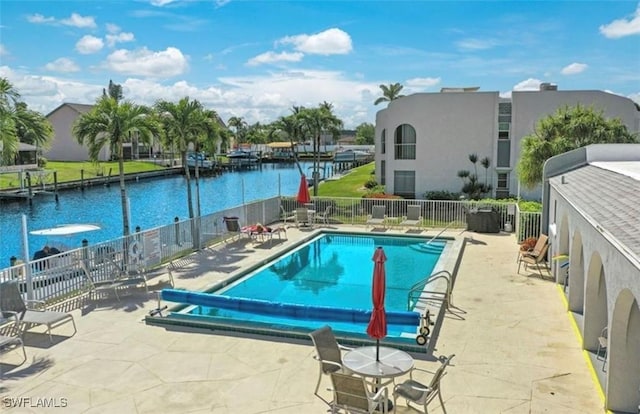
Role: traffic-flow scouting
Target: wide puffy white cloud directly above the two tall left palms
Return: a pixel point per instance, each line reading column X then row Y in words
column 144, row 62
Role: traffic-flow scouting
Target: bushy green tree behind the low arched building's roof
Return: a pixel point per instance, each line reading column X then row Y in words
column 569, row 128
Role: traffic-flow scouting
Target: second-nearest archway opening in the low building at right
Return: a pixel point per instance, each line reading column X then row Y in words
column 595, row 303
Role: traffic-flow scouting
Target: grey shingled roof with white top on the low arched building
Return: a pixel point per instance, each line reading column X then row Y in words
column 607, row 194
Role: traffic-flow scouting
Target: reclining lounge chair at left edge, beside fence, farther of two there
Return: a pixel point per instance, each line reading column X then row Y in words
column 11, row 301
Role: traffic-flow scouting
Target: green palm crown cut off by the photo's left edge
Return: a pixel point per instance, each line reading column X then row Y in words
column 19, row 124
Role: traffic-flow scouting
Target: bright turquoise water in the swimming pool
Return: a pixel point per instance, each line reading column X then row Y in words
column 332, row 270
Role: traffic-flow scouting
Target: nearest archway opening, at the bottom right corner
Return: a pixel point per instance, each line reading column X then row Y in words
column 623, row 379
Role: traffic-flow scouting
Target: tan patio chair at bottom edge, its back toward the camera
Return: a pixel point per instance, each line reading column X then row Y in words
column 350, row 393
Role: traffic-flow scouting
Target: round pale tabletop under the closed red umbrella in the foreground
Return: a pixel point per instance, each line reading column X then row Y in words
column 392, row 362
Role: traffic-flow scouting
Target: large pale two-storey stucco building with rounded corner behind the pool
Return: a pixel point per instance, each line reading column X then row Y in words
column 423, row 140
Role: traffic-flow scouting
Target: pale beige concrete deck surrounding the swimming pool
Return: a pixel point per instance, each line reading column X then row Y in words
column 516, row 349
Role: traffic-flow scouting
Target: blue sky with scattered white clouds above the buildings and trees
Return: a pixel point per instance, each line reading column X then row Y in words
column 257, row 59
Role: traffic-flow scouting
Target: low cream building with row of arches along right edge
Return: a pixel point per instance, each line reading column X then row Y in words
column 591, row 199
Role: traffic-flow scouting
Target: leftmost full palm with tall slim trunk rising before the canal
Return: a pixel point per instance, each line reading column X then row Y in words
column 112, row 123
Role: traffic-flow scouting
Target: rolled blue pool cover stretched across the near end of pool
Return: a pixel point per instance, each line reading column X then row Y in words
column 290, row 310
